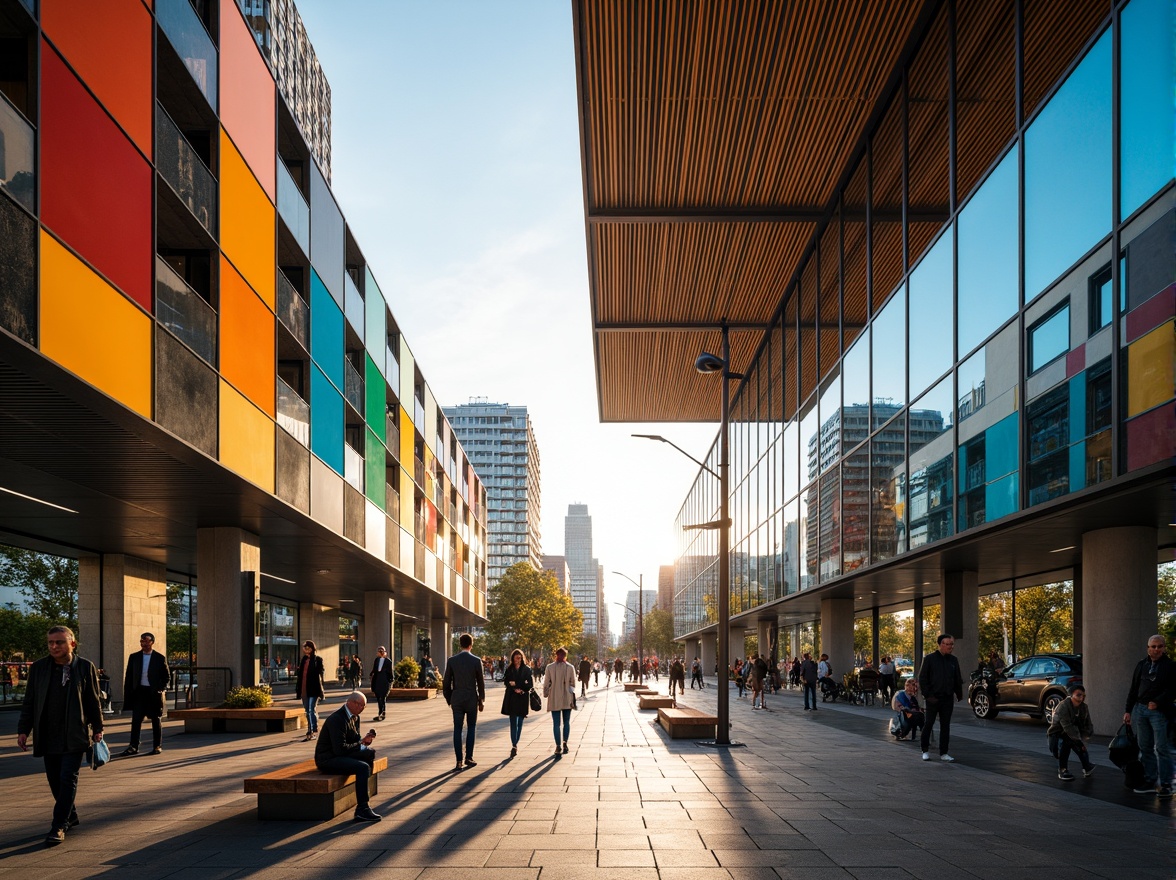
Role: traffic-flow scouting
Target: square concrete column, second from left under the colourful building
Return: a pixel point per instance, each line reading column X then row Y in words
column 229, row 570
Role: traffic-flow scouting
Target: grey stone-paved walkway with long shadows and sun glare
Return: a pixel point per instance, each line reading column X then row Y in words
column 814, row 796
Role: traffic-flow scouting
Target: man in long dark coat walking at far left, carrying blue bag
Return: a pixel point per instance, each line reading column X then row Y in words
column 62, row 708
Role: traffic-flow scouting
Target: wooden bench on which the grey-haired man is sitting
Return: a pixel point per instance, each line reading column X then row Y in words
column 303, row 791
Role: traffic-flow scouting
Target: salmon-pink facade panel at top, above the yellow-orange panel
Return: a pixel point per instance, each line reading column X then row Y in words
column 248, row 108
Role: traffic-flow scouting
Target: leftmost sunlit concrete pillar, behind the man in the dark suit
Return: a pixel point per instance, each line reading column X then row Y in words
column 119, row 599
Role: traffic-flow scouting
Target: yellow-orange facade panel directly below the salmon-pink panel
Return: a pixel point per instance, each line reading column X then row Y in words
column 248, row 223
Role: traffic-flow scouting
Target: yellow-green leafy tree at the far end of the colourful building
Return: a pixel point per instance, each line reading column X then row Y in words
column 529, row 611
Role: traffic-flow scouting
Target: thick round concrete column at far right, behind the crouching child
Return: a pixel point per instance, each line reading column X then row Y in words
column 1119, row 615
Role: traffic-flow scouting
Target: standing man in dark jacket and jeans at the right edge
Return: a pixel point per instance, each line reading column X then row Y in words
column 1150, row 711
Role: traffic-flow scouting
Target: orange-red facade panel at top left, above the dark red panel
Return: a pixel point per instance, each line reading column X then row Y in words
column 109, row 45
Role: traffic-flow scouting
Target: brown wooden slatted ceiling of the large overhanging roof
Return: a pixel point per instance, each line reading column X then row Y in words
column 716, row 108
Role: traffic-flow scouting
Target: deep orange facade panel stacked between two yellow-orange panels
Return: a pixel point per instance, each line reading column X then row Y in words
column 246, row 341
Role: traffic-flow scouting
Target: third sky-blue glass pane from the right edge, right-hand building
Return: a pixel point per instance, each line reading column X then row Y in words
column 987, row 282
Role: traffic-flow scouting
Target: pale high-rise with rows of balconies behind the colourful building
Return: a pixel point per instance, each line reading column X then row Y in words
column 500, row 442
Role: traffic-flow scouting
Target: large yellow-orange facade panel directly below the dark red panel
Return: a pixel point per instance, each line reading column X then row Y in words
column 92, row 330
